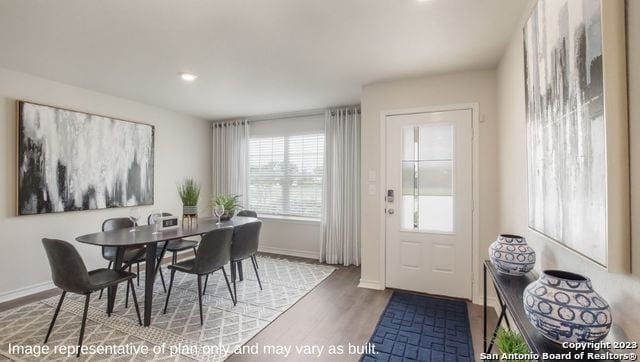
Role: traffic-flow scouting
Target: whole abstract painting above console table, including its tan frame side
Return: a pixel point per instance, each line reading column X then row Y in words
column 577, row 138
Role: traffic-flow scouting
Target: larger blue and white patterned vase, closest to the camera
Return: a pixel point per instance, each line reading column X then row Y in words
column 564, row 308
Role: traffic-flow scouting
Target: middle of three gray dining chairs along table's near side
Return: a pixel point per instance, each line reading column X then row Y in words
column 214, row 253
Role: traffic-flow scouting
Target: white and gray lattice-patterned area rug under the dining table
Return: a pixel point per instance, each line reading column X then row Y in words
column 175, row 336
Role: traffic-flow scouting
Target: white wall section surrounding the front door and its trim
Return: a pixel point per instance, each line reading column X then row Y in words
column 470, row 87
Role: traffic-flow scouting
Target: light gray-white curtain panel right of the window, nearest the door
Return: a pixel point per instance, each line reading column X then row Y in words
column 340, row 239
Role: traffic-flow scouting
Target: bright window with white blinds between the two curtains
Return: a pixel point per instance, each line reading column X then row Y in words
column 285, row 172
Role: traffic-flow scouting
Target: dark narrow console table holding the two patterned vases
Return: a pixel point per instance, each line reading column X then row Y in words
column 509, row 290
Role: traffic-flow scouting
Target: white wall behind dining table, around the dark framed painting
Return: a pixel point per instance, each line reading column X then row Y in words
column 183, row 148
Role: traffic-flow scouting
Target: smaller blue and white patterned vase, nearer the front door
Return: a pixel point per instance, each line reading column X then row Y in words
column 511, row 255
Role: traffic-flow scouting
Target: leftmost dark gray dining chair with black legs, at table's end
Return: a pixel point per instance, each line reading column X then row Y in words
column 70, row 274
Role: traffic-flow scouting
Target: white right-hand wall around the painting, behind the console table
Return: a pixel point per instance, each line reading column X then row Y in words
column 620, row 290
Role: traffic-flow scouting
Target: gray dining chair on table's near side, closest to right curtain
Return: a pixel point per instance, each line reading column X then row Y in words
column 245, row 242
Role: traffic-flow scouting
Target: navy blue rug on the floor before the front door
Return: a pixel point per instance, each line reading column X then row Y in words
column 421, row 328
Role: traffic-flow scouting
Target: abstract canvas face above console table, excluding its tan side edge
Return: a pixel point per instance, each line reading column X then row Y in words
column 566, row 143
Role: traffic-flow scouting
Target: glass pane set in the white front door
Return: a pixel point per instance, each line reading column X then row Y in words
column 427, row 178
